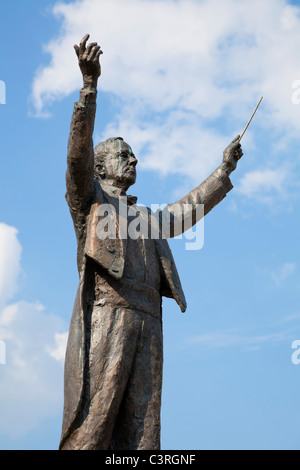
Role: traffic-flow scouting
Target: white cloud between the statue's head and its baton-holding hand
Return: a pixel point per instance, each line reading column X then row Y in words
column 177, row 145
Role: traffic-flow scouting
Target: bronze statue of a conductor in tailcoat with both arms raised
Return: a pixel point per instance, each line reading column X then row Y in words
column 113, row 368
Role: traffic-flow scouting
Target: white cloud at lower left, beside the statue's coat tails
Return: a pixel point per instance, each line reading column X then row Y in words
column 31, row 381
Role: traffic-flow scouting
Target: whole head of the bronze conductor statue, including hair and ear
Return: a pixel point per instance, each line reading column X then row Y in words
column 115, row 163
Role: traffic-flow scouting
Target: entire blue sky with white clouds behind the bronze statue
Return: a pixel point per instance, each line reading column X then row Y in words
column 179, row 81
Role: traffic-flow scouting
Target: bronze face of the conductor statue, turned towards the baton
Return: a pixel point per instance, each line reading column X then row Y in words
column 120, row 165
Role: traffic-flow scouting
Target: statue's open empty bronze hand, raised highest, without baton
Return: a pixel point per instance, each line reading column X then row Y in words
column 88, row 59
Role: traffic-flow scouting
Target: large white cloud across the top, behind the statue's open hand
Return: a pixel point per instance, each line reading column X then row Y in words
column 181, row 54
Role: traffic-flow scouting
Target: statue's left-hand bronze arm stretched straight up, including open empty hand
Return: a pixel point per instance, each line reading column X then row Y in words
column 80, row 169
